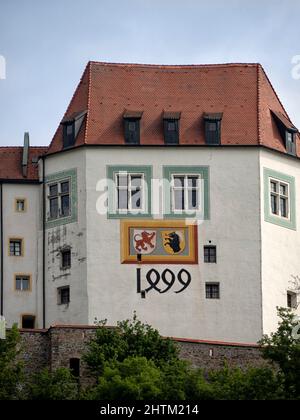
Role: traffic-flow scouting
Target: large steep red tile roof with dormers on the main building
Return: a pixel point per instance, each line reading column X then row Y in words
column 242, row 92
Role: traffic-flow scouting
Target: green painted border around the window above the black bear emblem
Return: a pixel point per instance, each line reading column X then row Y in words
column 168, row 171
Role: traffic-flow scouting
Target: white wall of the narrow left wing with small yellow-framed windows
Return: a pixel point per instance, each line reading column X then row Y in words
column 22, row 225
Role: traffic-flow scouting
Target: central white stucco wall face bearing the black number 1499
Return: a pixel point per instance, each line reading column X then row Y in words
column 234, row 226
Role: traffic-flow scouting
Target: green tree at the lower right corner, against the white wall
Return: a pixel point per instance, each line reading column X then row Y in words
column 283, row 349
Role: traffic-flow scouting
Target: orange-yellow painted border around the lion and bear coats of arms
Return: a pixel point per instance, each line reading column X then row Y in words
column 126, row 258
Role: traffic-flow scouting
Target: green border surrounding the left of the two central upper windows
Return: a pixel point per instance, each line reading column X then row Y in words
column 111, row 171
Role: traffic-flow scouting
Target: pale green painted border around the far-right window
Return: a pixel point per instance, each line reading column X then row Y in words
column 269, row 217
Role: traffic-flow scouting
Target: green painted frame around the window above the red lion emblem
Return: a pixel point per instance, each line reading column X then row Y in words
column 112, row 172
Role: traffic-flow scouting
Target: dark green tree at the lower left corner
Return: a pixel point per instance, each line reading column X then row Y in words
column 11, row 370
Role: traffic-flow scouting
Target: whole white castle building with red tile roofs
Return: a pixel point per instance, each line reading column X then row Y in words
column 169, row 191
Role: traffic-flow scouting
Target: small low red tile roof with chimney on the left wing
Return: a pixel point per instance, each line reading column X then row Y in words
column 11, row 163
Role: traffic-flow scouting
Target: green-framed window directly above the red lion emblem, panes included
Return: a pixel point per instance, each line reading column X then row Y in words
column 129, row 191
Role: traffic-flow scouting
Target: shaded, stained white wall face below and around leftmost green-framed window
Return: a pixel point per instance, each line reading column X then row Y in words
column 73, row 235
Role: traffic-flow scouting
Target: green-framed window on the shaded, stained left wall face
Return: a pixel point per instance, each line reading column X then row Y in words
column 61, row 196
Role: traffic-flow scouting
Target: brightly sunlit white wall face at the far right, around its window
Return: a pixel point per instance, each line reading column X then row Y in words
column 280, row 246
